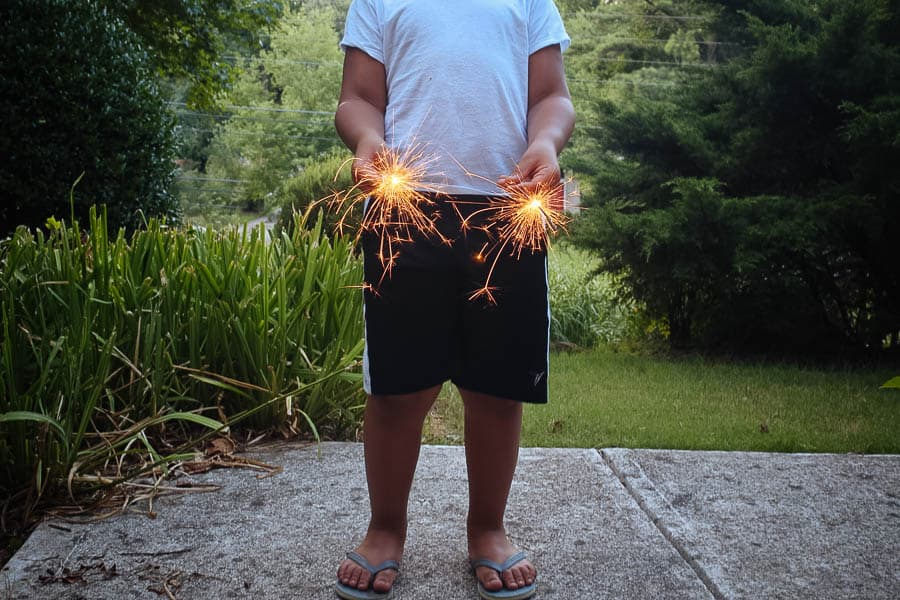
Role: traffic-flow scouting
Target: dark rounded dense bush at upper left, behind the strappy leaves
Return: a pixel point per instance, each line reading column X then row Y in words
column 77, row 96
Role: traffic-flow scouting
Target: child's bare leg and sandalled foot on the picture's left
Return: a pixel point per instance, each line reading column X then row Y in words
column 392, row 436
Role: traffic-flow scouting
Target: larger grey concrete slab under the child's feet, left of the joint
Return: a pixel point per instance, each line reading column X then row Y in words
column 283, row 536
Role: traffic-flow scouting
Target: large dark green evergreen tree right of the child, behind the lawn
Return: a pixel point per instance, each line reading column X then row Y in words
column 750, row 199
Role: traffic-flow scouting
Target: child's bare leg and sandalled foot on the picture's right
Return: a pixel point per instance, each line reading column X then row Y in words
column 492, row 449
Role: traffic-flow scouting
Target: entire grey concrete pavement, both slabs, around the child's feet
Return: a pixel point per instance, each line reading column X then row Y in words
column 598, row 524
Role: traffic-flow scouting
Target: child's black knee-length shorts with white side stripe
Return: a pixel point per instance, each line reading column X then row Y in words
column 422, row 328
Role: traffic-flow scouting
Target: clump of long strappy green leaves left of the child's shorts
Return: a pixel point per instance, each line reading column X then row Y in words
column 103, row 339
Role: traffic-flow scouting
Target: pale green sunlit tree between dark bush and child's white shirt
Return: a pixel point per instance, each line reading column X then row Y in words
column 279, row 117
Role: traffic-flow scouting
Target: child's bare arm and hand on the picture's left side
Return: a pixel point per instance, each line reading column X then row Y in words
column 359, row 118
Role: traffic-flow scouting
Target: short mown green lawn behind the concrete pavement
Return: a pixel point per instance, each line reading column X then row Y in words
column 600, row 398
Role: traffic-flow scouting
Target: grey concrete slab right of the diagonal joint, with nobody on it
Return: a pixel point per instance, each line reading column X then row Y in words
column 757, row 525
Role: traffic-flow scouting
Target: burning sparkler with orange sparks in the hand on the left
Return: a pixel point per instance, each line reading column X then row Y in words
column 398, row 194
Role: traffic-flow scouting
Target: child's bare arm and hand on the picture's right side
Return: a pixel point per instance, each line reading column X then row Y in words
column 551, row 118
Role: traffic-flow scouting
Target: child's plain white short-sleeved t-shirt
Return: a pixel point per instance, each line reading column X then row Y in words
column 457, row 79
